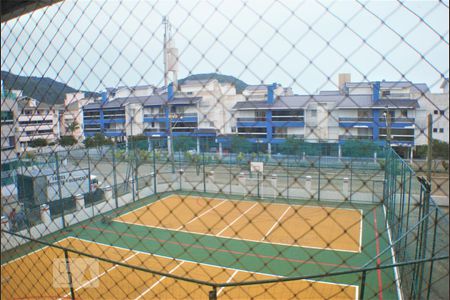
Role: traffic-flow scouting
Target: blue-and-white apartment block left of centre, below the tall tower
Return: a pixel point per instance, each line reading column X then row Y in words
column 160, row 113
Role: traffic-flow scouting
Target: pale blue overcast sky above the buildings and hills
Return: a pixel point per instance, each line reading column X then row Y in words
column 91, row 45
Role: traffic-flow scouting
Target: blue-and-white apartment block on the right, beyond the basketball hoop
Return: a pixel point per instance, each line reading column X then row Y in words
column 358, row 110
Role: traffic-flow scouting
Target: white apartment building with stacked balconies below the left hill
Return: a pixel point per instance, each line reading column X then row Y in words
column 37, row 120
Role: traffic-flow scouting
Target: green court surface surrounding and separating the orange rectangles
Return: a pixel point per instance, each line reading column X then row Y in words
column 279, row 260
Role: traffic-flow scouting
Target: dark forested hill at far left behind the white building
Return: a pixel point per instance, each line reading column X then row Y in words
column 43, row 89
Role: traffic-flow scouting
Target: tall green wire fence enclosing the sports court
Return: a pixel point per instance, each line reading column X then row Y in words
column 417, row 229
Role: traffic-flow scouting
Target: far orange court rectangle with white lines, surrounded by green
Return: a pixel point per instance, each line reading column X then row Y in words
column 318, row 227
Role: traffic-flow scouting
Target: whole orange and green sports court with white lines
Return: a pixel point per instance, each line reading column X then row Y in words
column 206, row 238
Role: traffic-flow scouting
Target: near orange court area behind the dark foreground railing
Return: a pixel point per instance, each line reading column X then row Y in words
column 118, row 282
